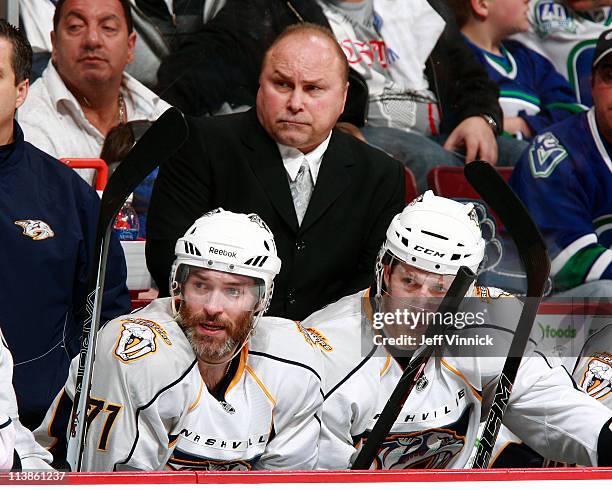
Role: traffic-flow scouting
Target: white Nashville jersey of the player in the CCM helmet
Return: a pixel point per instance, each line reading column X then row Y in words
column 438, row 425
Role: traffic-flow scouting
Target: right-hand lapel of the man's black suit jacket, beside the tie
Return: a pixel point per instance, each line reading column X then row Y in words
column 334, row 177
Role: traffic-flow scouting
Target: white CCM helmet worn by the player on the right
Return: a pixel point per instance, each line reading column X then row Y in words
column 436, row 234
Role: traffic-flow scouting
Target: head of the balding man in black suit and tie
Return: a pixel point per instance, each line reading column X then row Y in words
column 301, row 91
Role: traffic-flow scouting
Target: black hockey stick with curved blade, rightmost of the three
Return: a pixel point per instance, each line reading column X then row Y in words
column 531, row 247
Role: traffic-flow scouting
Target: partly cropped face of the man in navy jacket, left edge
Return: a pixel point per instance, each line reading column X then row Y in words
column 11, row 95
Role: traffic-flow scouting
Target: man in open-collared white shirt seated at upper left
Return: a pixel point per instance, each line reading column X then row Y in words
column 84, row 91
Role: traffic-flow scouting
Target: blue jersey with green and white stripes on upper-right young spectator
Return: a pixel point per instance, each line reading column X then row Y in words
column 529, row 85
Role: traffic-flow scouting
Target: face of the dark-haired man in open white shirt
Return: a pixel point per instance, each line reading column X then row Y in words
column 92, row 44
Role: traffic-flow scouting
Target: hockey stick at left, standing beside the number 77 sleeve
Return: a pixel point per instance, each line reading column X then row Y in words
column 157, row 144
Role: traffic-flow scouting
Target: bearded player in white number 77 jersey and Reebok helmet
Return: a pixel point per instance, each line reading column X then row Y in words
column 201, row 380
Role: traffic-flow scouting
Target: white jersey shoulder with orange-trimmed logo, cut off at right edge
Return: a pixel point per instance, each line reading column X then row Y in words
column 593, row 371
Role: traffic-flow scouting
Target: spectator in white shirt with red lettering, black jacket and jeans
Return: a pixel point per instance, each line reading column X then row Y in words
column 430, row 103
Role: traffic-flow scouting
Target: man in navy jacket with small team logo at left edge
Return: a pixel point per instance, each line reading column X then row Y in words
column 48, row 218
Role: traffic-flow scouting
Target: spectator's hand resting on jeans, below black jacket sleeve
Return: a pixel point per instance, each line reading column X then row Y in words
column 478, row 139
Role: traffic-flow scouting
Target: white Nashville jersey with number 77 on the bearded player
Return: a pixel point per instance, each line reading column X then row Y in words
column 151, row 409
